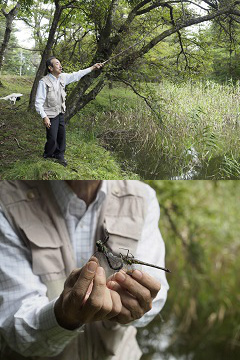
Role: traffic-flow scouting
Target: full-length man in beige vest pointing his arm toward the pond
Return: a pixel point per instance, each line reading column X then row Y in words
column 50, row 104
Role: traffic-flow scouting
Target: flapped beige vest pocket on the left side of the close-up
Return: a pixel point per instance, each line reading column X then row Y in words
column 45, row 245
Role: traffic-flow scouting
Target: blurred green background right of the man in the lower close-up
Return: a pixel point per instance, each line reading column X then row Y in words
column 201, row 318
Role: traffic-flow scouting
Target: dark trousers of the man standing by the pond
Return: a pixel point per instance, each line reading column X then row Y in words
column 56, row 138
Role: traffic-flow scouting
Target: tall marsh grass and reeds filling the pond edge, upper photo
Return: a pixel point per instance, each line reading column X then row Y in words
column 196, row 117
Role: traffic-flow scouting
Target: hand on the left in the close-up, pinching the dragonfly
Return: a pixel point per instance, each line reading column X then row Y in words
column 86, row 298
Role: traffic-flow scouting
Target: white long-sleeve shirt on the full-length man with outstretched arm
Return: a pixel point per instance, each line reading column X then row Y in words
column 67, row 78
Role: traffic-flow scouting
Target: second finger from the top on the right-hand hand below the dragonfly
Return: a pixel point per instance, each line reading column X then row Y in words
column 140, row 292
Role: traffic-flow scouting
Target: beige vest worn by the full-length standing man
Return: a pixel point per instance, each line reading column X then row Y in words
column 55, row 100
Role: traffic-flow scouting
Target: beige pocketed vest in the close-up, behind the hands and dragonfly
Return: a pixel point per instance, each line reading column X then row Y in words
column 31, row 208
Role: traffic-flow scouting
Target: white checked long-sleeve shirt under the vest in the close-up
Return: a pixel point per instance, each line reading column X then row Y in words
column 27, row 320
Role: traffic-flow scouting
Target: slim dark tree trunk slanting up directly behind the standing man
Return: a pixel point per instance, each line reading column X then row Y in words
column 45, row 55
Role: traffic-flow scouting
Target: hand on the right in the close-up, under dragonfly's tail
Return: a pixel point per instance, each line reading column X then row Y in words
column 136, row 292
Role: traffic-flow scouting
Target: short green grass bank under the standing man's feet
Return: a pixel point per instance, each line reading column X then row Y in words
column 22, row 138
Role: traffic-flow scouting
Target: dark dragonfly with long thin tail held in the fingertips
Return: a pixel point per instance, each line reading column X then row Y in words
column 117, row 261
